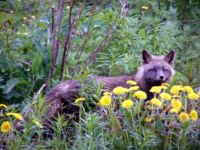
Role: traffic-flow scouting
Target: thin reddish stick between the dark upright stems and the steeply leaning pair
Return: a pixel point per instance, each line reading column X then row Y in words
column 86, row 37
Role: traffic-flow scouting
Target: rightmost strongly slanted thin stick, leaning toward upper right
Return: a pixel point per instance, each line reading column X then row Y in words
column 98, row 49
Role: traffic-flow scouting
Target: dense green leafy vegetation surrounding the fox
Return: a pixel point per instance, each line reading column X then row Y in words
column 96, row 38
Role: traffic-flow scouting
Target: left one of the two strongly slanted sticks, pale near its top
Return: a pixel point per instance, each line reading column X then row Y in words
column 93, row 55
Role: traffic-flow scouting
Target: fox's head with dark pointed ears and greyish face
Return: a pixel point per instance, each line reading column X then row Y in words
column 156, row 70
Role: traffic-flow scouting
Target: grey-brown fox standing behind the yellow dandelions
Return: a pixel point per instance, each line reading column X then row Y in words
column 154, row 71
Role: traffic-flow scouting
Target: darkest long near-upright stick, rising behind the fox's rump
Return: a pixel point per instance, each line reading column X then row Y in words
column 66, row 42
